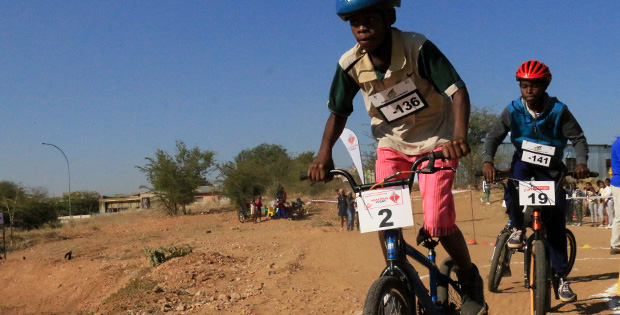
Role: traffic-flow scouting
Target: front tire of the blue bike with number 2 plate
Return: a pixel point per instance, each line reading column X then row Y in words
column 389, row 295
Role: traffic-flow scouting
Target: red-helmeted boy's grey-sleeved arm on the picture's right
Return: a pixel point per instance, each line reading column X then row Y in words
column 572, row 130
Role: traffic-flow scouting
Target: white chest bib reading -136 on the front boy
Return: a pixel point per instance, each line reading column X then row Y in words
column 399, row 101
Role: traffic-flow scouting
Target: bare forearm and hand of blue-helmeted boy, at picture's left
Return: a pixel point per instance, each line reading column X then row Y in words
column 324, row 162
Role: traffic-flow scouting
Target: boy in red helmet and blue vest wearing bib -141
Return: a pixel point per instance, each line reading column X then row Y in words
column 537, row 118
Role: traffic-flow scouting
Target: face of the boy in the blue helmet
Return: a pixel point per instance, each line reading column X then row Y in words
column 369, row 29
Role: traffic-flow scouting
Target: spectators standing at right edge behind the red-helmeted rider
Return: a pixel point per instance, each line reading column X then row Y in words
column 596, row 201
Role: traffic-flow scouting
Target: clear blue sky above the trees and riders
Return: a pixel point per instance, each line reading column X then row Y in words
column 109, row 82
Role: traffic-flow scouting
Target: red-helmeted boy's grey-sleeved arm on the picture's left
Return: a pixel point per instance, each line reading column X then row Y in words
column 492, row 142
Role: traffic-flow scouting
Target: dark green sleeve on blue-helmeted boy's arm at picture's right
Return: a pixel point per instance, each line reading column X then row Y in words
column 437, row 69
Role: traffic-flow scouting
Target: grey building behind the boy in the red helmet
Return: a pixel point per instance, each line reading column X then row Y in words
column 599, row 158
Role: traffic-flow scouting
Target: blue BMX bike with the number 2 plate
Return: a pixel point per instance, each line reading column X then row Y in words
column 399, row 285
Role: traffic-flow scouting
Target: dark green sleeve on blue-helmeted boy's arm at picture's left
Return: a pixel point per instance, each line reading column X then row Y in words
column 342, row 93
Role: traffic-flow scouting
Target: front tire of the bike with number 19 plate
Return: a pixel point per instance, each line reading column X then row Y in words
column 540, row 289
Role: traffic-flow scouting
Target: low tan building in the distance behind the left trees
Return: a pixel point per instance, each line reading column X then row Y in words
column 146, row 200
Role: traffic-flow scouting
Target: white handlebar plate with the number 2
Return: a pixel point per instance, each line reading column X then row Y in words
column 384, row 209
